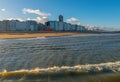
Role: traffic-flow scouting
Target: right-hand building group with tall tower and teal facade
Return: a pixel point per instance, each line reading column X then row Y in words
column 63, row 26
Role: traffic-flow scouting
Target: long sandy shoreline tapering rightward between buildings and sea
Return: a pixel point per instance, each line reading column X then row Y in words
column 19, row 35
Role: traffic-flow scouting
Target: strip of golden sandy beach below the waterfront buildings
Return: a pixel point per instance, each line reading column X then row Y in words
column 35, row 35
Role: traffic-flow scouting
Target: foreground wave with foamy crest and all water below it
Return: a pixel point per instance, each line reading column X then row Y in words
column 104, row 72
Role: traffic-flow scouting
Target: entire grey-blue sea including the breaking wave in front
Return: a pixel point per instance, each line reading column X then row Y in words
column 78, row 58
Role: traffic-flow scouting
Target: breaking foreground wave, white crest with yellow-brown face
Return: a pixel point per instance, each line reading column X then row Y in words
column 111, row 67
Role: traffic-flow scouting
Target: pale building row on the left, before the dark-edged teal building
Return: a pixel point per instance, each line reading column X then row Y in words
column 23, row 26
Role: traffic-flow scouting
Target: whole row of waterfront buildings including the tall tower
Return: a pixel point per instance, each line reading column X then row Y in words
column 33, row 26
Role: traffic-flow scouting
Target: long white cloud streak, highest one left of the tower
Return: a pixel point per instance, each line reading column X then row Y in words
column 38, row 12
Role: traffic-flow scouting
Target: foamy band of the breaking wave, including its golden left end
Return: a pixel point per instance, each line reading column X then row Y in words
column 66, row 70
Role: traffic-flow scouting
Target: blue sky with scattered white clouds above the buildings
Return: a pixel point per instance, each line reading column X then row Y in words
column 104, row 13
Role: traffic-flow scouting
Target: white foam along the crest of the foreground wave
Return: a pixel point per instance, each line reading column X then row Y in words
column 90, row 68
